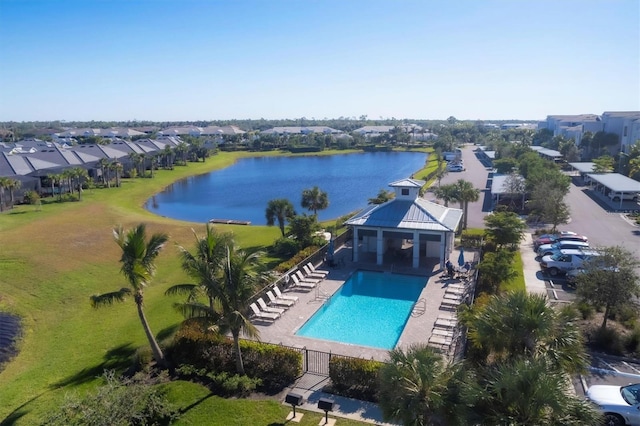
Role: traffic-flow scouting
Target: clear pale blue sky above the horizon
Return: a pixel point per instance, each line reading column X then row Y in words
column 189, row 60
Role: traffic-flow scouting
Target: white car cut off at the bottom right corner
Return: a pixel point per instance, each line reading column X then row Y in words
column 620, row 405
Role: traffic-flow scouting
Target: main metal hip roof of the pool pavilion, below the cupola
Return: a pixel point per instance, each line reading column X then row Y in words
column 419, row 214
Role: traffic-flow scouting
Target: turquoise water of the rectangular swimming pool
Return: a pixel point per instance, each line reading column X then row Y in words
column 370, row 309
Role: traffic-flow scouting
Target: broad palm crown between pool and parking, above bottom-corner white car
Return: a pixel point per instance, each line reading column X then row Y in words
column 522, row 325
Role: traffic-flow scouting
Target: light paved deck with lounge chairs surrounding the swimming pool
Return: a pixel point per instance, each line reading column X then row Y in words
column 437, row 301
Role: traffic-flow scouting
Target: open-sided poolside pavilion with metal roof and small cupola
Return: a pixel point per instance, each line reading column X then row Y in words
column 409, row 227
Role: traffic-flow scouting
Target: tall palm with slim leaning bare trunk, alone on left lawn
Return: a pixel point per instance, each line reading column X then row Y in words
column 138, row 267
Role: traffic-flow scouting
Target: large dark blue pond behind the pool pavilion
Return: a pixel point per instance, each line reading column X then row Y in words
column 242, row 191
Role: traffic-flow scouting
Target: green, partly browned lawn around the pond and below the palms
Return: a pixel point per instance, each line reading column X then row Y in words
column 54, row 258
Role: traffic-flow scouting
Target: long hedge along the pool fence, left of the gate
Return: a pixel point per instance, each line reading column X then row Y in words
column 275, row 366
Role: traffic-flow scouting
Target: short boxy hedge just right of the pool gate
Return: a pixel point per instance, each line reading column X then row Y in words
column 355, row 378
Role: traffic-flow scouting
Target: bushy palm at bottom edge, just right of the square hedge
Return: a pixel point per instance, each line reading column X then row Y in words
column 413, row 387
